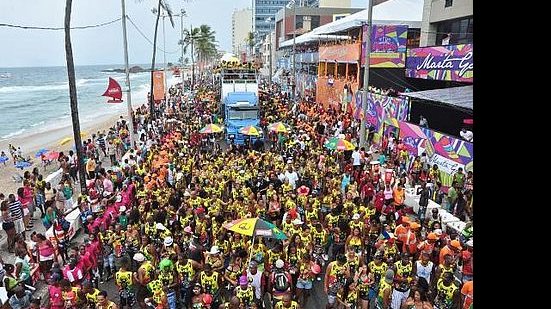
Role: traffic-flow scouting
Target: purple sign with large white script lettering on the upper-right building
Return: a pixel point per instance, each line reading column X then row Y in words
column 451, row 62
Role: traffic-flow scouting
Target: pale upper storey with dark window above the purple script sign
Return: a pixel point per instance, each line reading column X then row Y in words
column 447, row 22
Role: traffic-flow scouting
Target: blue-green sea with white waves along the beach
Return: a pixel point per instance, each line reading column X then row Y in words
column 35, row 100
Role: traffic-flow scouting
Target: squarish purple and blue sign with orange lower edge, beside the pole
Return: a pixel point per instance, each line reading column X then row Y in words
column 388, row 46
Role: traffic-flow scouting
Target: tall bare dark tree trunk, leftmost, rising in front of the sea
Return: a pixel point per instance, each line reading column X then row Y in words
column 73, row 95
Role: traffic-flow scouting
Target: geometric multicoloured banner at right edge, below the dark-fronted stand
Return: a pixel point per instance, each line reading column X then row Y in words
column 449, row 153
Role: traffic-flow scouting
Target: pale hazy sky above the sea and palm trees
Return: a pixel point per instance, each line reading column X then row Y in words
column 103, row 45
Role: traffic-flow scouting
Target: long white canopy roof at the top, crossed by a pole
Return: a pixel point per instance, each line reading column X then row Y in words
column 393, row 12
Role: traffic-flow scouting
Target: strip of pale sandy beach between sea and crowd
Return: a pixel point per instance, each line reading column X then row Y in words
column 31, row 143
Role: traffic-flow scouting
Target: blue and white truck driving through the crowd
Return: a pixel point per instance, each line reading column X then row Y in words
column 239, row 96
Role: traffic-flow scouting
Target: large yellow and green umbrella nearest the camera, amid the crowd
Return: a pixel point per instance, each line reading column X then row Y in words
column 254, row 227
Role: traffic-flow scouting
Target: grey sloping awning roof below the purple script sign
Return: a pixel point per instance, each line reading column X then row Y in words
column 461, row 97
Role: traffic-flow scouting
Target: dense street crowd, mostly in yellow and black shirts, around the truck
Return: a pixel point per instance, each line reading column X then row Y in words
column 156, row 220
